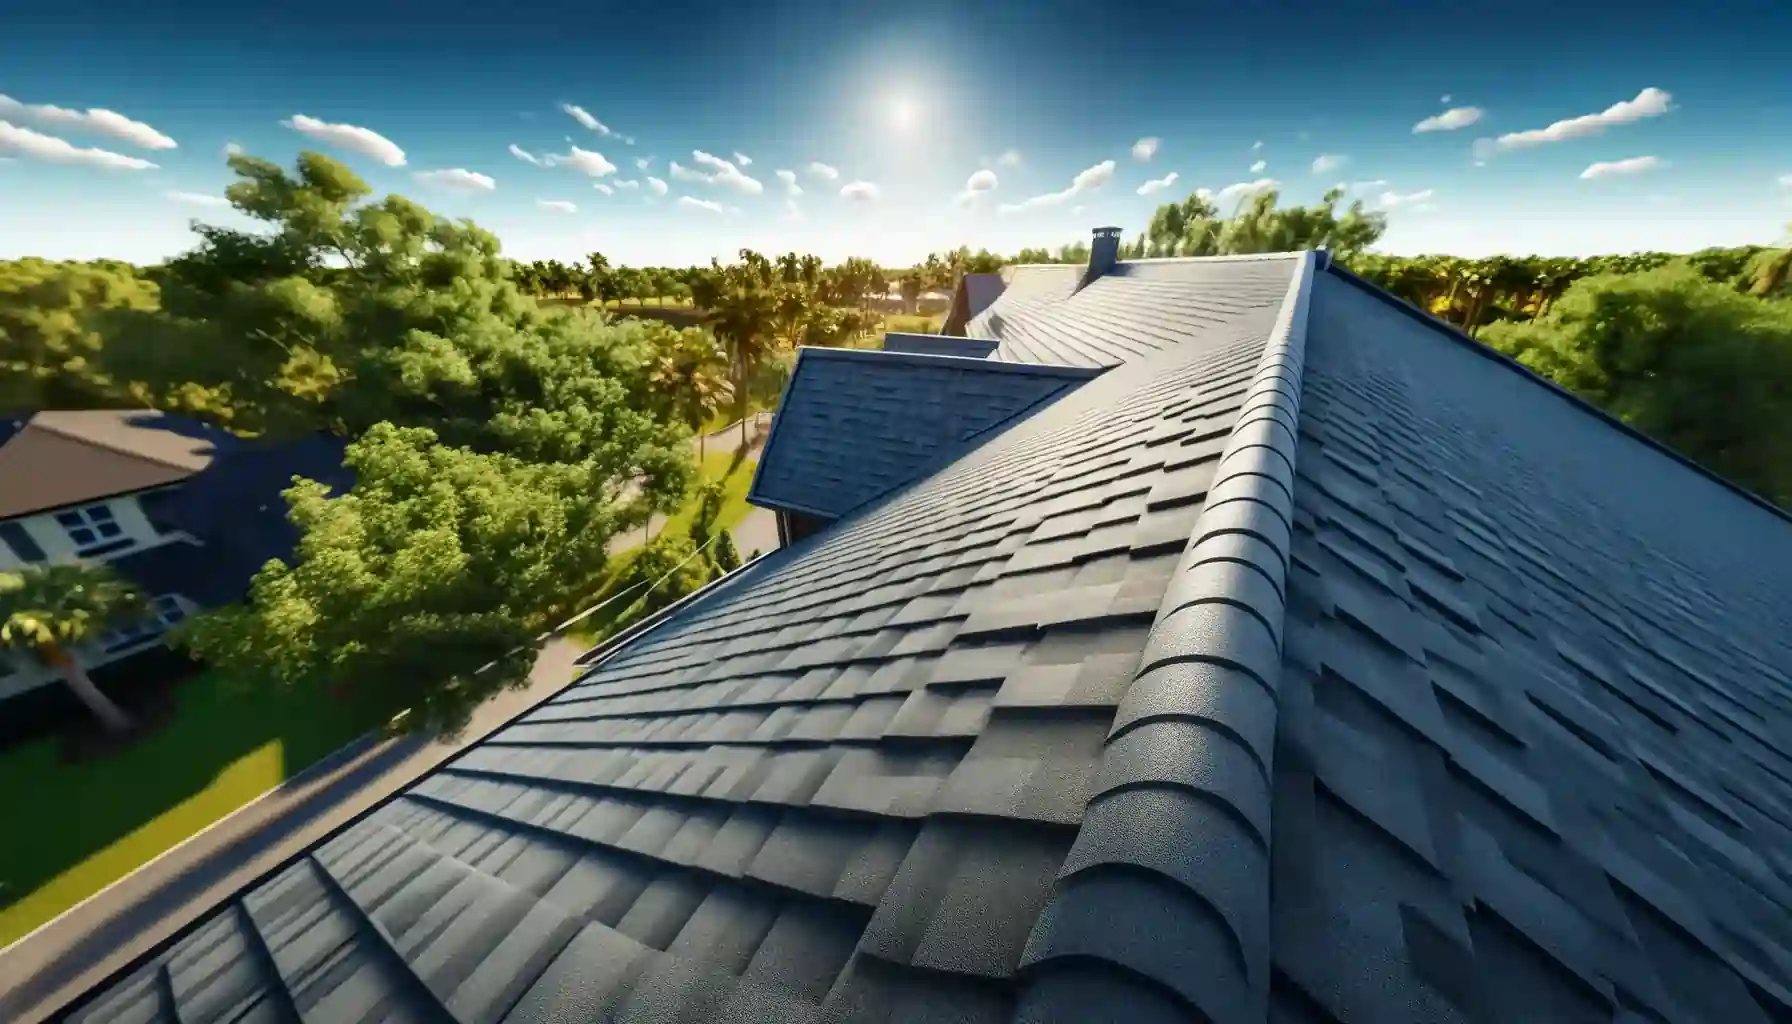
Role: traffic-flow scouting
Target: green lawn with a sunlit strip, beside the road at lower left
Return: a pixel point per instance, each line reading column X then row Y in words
column 94, row 822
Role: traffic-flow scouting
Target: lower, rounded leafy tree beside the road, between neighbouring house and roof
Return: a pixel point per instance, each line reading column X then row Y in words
column 438, row 562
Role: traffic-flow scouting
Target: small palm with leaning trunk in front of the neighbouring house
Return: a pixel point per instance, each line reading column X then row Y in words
column 47, row 612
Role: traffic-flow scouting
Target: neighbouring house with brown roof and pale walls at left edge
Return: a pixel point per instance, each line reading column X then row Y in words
column 119, row 487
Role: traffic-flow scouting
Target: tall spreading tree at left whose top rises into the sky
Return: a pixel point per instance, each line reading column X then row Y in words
column 347, row 313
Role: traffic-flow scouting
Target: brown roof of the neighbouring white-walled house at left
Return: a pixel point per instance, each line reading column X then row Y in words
column 76, row 456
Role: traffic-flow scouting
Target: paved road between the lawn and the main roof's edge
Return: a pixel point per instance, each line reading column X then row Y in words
column 76, row 951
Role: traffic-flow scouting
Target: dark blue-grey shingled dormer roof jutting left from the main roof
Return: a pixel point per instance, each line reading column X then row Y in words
column 857, row 424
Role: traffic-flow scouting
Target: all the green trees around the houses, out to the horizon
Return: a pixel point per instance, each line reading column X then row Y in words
column 499, row 442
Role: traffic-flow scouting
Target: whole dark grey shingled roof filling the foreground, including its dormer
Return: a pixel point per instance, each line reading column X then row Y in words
column 1297, row 659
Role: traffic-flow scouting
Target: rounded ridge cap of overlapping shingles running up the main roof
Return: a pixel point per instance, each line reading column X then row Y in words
column 1187, row 763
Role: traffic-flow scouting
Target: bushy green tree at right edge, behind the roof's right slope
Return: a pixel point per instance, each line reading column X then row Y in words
column 1689, row 361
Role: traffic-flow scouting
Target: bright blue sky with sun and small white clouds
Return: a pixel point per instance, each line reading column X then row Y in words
column 940, row 121
